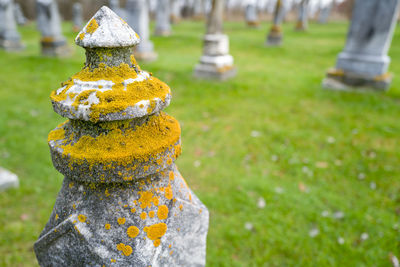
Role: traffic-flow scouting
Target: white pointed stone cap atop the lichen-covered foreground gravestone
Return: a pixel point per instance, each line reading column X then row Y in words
column 106, row 29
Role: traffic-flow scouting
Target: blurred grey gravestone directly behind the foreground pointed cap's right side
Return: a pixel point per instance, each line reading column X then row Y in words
column 138, row 19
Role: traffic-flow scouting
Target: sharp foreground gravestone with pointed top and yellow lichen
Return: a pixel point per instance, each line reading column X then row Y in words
column 123, row 201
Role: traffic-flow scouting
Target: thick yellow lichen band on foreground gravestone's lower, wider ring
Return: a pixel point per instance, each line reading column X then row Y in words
column 124, row 146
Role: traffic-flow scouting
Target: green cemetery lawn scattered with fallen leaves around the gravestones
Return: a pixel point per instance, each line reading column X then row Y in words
column 292, row 174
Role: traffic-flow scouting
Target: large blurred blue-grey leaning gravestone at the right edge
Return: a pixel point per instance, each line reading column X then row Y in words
column 364, row 61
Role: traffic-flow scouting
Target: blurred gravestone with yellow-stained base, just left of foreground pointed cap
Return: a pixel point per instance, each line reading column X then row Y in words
column 53, row 43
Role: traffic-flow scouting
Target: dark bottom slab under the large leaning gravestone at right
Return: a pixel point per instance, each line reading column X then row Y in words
column 345, row 81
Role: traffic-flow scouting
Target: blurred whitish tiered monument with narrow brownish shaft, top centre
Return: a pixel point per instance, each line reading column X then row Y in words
column 216, row 62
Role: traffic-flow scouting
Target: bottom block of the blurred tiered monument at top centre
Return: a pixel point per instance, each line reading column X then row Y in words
column 206, row 71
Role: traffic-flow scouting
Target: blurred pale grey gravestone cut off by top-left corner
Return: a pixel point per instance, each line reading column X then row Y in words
column 9, row 37
